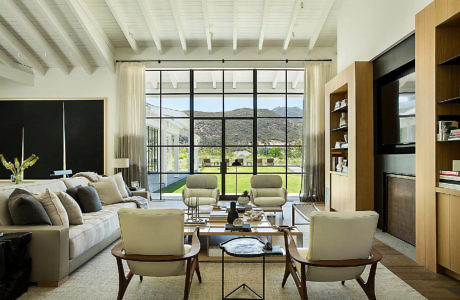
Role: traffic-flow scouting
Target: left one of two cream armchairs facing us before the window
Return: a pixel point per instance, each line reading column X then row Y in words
column 202, row 186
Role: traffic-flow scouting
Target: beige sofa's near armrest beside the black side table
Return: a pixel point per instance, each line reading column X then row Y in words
column 49, row 250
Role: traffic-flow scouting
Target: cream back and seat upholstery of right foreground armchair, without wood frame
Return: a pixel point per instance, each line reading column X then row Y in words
column 339, row 236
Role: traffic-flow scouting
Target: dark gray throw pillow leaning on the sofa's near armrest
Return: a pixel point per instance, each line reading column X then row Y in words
column 26, row 210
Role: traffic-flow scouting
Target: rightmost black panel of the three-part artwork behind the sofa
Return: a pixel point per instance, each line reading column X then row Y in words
column 84, row 121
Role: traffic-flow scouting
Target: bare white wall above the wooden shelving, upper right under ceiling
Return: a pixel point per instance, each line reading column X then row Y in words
column 366, row 28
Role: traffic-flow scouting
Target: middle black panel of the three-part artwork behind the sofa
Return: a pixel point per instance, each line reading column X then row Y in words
column 43, row 137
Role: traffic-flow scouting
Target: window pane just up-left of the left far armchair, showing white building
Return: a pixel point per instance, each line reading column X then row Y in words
column 174, row 159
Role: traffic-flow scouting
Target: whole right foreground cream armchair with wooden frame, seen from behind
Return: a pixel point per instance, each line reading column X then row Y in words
column 339, row 250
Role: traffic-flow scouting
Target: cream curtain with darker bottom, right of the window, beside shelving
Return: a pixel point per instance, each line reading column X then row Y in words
column 316, row 76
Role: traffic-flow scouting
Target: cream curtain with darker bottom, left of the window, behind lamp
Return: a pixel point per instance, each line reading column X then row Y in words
column 130, row 135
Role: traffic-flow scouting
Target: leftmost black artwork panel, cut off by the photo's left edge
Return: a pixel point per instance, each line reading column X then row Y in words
column 11, row 123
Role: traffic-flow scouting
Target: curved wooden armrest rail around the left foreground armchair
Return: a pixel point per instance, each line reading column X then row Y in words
column 118, row 252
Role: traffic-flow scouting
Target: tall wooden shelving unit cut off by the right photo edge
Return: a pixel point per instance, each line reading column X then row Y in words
column 437, row 53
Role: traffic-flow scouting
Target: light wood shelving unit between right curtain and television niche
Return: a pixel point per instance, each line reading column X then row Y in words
column 353, row 190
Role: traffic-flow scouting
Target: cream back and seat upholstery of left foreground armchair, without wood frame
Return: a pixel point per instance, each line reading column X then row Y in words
column 153, row 232
